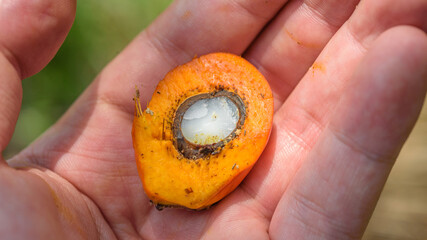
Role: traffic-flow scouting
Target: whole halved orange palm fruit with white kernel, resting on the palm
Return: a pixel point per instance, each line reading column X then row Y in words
column 185, row 161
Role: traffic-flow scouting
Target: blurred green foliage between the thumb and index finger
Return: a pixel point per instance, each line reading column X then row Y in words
column 101, row 30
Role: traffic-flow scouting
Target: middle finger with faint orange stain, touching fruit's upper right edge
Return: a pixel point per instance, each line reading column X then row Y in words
column 289, row 46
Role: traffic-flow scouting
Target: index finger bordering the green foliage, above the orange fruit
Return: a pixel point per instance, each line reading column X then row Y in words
column 184, row 30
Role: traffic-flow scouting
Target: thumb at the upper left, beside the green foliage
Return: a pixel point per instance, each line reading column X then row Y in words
column 31, row 32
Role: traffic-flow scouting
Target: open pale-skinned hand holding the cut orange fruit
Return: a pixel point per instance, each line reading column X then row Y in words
column 348, row 85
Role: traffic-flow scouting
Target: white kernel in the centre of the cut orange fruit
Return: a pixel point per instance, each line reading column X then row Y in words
column 209, row 121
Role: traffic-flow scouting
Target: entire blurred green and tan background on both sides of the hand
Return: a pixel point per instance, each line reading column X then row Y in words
column 103, row 28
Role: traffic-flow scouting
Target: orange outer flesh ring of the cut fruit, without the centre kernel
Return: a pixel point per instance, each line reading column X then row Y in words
column 170, row 179
